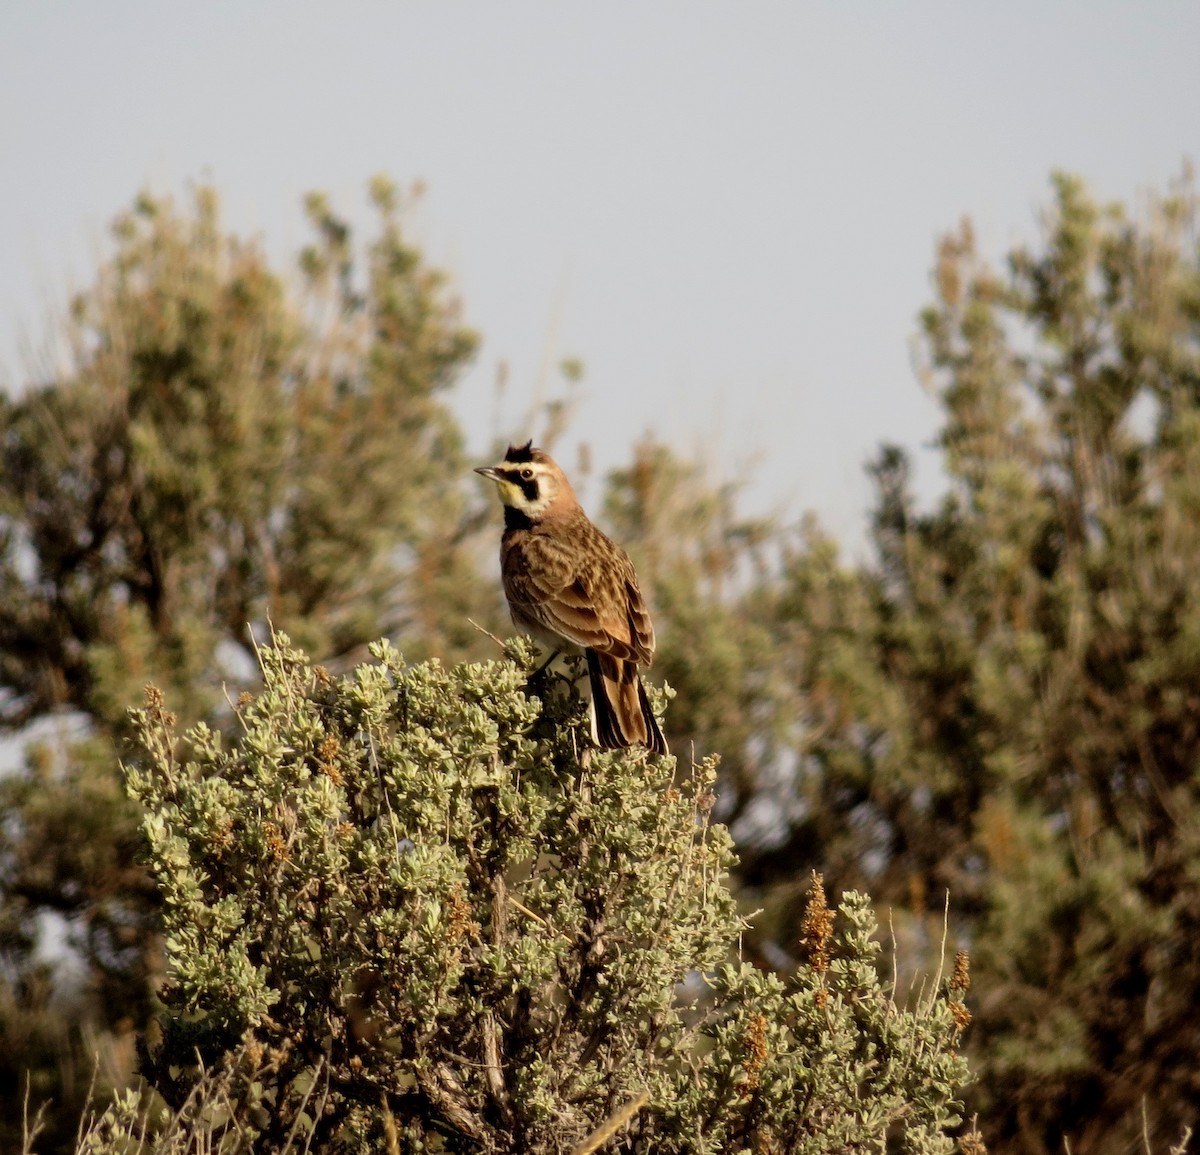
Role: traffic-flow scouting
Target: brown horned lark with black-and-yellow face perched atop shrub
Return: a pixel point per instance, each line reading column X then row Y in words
column 575, row 590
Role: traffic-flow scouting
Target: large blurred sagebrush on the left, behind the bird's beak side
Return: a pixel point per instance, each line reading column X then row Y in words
column 220, row 453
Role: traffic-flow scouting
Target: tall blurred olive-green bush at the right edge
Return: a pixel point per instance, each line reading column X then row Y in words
column 1007, row 705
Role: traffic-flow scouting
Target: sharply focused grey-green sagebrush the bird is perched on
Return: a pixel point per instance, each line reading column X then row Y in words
column 412, row 911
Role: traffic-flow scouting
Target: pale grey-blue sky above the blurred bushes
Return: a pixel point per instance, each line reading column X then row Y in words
column 728, row 212
